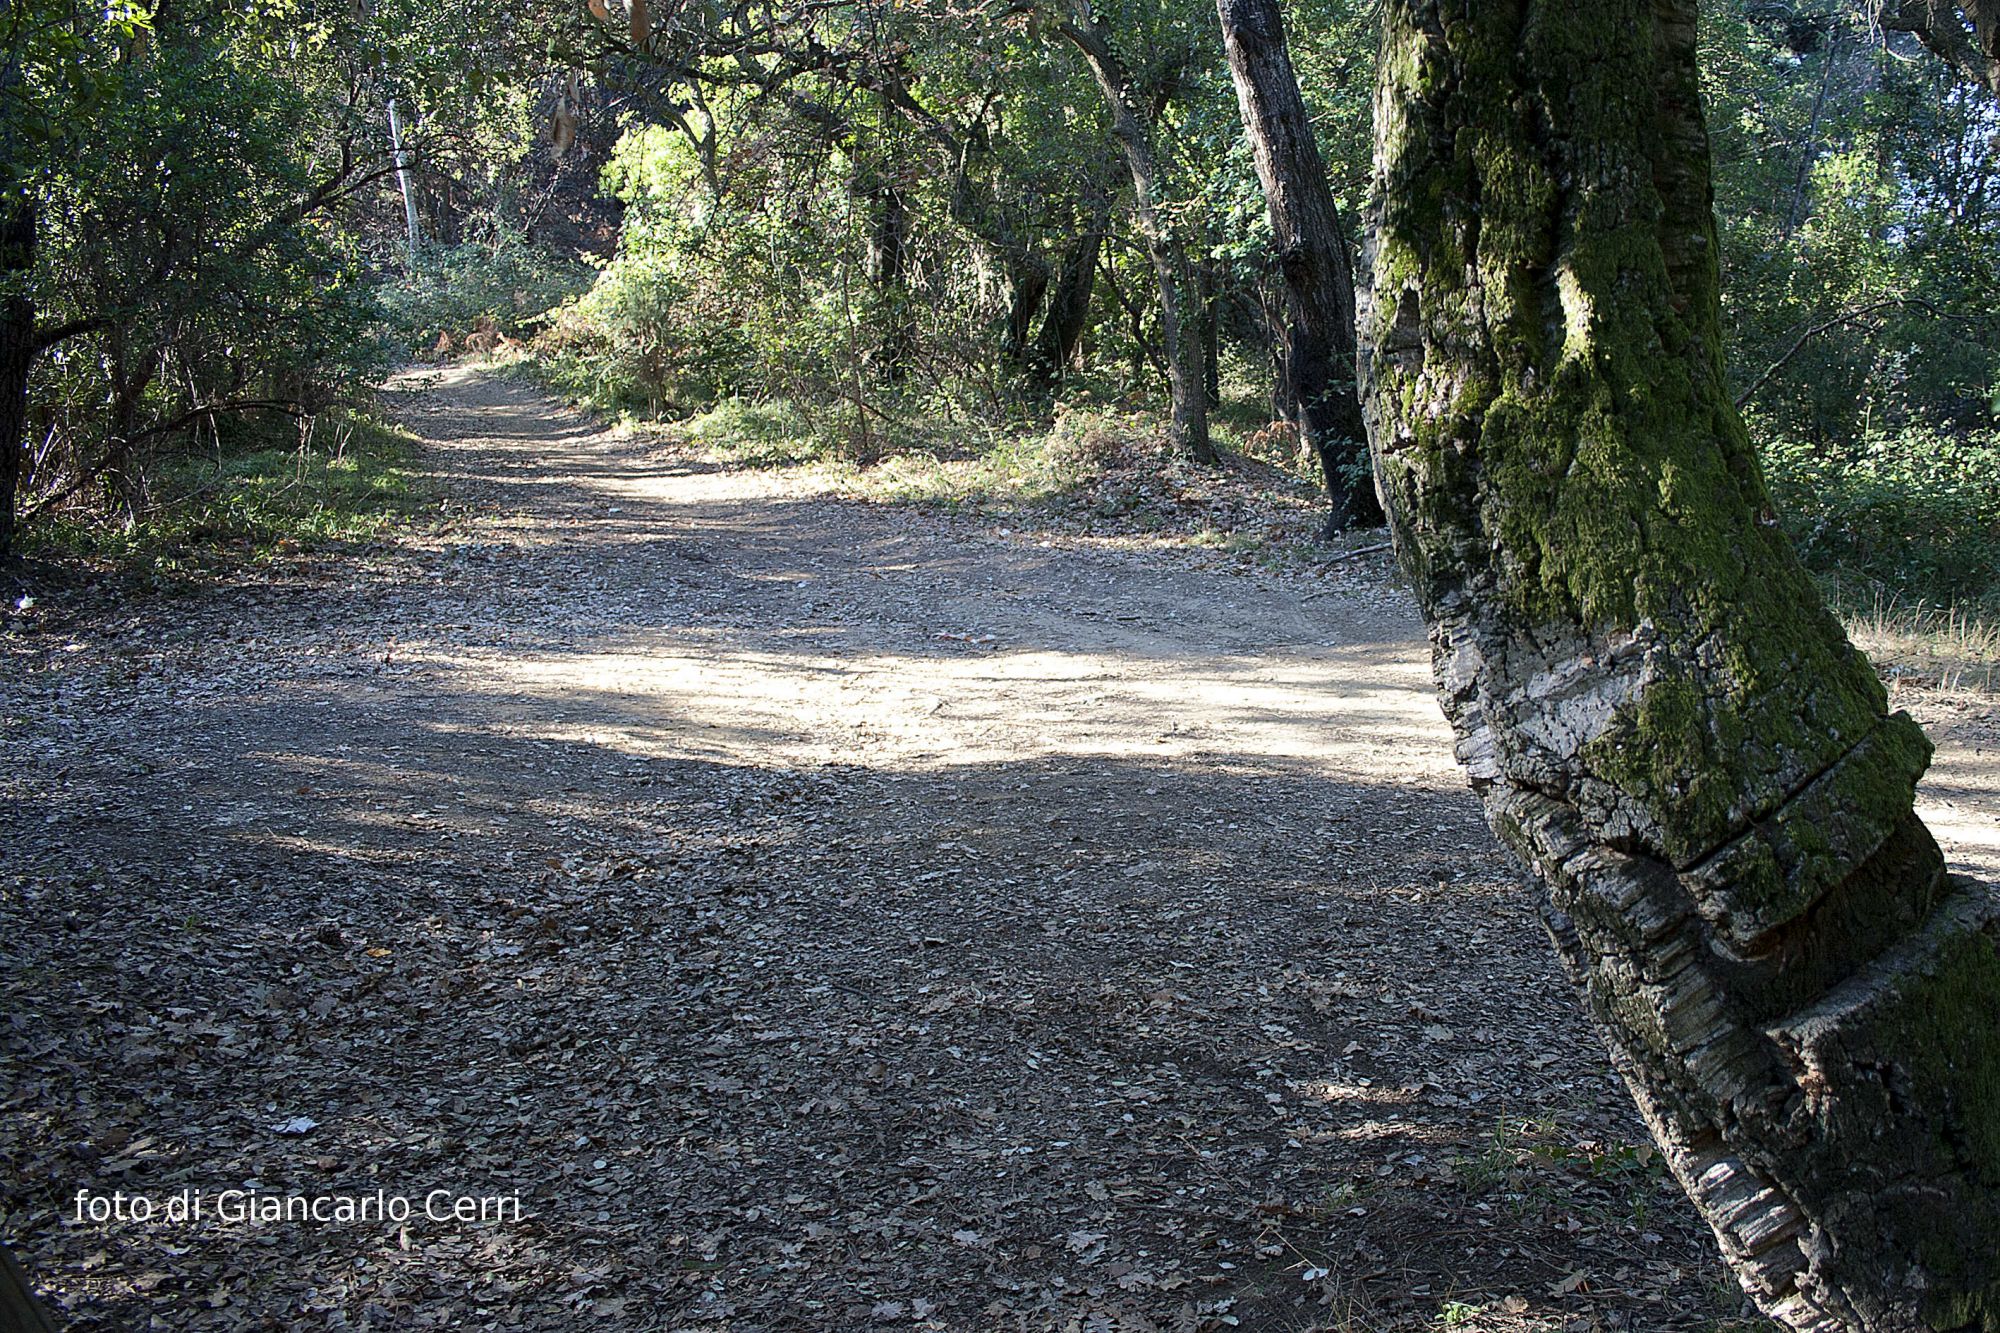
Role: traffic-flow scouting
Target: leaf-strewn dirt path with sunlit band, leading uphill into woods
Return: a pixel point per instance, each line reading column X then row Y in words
column 815, row 916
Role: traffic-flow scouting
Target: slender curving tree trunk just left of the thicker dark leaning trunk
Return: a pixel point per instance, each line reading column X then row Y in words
column 1189, row 429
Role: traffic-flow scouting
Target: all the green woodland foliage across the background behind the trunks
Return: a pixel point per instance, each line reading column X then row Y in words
column 747, row 281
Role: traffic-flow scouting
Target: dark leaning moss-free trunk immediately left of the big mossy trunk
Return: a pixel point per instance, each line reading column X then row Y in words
column 1313, row 253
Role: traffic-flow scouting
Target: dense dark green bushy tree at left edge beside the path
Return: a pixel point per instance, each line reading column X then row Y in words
column 187, row 253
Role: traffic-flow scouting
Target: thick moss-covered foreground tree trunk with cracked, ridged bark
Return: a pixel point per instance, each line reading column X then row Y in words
column 1649, row 696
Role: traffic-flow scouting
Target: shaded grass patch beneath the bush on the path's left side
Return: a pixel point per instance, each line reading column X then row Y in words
column 271, row 491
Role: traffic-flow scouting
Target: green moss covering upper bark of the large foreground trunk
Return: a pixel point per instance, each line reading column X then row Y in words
column 1569, row 439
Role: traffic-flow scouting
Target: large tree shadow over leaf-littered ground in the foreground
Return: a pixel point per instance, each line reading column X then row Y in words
column 817, row 1048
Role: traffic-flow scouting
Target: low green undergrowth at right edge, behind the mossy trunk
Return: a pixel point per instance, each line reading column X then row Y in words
column 1915, row 513
